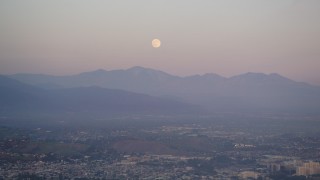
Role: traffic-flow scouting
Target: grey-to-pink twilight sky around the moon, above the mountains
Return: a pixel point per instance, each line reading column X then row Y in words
column 227, row 37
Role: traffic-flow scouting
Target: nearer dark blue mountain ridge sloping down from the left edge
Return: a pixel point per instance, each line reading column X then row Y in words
column 19, row 99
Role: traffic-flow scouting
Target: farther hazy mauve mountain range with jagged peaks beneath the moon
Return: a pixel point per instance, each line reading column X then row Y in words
column 246, row 92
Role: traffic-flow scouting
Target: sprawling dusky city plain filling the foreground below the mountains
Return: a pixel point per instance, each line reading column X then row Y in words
column 223, row 146
